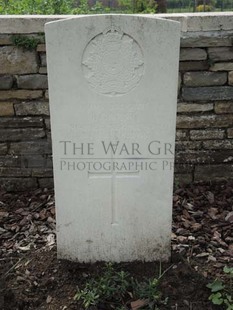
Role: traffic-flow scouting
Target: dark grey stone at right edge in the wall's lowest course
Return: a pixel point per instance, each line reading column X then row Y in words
column 213, row 172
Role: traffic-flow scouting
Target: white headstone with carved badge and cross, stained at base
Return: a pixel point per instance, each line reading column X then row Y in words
column 113, row 89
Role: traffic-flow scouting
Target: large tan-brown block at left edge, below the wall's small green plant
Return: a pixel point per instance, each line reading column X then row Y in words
column 14, row 60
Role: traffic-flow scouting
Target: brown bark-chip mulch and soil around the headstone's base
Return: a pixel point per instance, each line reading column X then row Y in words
column 31, row 277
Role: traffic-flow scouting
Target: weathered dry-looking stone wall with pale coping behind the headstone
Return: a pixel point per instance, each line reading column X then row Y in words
column 204, row 149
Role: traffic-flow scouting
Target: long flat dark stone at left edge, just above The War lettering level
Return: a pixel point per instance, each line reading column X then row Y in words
column 23, row 134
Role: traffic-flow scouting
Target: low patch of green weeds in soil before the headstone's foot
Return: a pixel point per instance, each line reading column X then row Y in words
column 114, row 288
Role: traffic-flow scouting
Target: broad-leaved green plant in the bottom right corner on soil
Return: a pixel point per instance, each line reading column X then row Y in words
column 221, row 294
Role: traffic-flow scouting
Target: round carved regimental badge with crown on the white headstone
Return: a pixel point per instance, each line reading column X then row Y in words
column 113, row 63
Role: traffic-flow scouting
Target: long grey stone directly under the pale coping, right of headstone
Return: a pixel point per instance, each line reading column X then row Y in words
column 206, row 39
